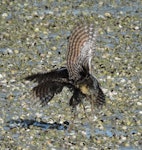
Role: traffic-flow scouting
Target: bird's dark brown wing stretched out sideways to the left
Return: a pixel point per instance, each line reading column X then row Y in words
column 49, row 84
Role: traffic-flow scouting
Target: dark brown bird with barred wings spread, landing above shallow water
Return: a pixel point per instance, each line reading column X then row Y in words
column 76, row 76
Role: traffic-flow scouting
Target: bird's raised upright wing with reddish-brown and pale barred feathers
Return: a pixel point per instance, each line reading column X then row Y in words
column 80, row 51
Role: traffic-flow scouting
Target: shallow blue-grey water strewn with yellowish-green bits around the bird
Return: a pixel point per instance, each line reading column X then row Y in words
column 33, row 39
